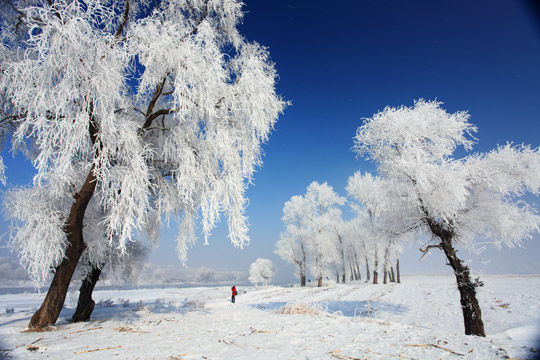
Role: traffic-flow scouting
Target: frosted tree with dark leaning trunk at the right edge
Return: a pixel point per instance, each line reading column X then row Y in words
column 459, row 202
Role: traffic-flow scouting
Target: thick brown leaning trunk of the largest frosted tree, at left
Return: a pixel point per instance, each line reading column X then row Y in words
column 50, row 309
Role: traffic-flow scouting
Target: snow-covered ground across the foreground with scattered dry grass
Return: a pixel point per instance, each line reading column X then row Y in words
column 418, row 319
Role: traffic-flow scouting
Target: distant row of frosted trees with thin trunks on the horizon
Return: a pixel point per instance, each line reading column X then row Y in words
column 317, row 239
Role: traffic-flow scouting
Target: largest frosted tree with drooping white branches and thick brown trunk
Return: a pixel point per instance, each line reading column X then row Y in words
column 152, row 109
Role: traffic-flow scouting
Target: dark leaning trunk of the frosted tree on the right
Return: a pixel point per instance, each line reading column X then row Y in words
column 472, row 315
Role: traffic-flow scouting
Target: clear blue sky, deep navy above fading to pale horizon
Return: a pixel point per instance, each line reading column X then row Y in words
column 341, row 61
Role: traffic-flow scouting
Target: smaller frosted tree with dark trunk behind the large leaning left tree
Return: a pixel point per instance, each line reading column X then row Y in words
column 34, row 210
